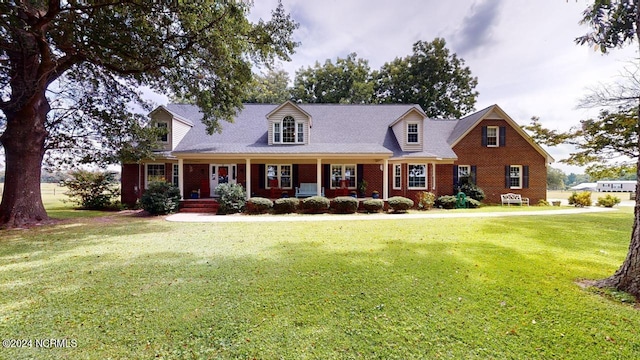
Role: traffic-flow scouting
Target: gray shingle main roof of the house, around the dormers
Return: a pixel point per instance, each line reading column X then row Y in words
column 337, row 129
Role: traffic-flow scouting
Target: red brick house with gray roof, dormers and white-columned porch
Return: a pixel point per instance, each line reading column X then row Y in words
column 275, row 150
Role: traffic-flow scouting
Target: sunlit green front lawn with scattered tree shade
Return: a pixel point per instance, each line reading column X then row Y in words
column 129, row 287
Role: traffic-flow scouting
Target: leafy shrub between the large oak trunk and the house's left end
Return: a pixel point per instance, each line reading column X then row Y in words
column 92, row 190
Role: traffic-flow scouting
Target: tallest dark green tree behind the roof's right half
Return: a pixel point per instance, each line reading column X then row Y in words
column 432, row 77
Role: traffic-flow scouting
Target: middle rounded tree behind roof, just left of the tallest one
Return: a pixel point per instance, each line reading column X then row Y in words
column 348, row 81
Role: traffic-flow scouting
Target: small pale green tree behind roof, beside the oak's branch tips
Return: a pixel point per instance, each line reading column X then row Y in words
column 271, row 87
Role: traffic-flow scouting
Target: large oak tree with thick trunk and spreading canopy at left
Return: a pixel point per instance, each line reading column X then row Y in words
column 102, row 52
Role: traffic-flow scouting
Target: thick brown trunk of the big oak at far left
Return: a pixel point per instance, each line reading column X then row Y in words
column 23, row 142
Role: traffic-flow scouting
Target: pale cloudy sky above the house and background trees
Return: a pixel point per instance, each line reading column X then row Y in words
column 522, row 52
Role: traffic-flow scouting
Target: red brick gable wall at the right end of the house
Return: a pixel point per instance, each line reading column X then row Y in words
column 491, row 161
